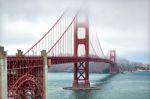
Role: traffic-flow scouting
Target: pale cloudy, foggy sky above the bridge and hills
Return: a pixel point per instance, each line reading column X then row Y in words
column 123, row 25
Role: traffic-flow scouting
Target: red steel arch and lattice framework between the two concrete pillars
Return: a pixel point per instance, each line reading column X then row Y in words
column 25, row 77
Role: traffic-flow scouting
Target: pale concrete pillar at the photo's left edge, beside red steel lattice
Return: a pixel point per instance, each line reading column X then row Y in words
column 3, row 74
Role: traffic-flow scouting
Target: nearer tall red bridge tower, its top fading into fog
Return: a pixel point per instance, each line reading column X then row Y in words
column 81, row 69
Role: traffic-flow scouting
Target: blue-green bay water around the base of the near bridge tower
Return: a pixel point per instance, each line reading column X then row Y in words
column 135, row 85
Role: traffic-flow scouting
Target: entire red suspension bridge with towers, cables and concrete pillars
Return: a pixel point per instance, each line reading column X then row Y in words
column 26, row 73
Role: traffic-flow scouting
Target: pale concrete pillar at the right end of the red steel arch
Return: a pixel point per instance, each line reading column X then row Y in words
column 45, row 73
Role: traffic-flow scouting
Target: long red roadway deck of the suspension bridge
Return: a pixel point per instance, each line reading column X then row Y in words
column 54, row 60
